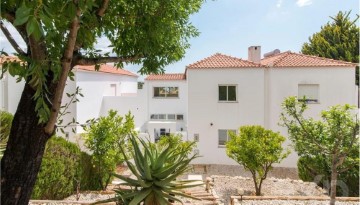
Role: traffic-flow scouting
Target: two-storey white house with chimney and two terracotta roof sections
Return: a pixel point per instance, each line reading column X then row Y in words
column 225, row 93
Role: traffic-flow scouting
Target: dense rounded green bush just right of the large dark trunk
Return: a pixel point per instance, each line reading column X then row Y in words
column 63, row 167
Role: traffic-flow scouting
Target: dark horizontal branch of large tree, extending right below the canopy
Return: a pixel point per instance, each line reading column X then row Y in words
column 102, row 60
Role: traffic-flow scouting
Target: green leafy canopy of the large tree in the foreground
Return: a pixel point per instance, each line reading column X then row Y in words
column 153, row 33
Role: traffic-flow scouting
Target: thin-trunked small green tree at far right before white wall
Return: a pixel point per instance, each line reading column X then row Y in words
column 335, row 136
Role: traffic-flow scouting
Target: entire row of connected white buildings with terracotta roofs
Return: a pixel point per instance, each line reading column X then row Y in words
column 214, row 95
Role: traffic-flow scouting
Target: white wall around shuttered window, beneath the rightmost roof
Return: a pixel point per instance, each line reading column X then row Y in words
column 336, row 86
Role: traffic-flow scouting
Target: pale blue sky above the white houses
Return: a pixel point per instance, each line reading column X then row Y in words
column 231, row 26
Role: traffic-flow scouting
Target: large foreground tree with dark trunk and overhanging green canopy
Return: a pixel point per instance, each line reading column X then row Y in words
column 62, row 34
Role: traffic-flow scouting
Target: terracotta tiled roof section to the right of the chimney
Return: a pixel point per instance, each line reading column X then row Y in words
column 290, row 59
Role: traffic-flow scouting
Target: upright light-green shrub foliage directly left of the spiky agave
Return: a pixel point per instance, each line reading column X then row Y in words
column 104, row 138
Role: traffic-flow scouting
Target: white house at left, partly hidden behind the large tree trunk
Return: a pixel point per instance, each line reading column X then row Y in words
column 94, row 86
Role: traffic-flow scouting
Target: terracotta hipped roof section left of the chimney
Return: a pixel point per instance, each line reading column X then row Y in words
column 223, row 61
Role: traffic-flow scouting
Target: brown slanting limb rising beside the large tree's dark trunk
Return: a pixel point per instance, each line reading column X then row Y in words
column 66, row 66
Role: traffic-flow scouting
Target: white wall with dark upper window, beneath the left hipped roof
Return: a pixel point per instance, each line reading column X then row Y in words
column 204, row 107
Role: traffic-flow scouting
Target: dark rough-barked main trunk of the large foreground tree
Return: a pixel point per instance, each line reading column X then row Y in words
column 25, row 148
